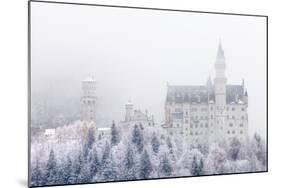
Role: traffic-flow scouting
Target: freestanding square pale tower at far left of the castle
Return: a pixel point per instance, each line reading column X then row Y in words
column 88, row 100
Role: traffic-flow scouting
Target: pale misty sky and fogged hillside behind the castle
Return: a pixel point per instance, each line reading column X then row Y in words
column 133, row 53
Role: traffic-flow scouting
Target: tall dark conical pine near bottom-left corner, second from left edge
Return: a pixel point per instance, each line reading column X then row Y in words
column 51, row 176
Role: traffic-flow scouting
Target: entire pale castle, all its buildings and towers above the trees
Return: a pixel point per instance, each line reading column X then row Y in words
column 195, row 114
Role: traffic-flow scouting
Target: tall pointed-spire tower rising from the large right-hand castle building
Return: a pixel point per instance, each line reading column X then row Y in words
column 220, row 91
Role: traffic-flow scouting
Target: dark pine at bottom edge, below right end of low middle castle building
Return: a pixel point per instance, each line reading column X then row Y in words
column 145, row 166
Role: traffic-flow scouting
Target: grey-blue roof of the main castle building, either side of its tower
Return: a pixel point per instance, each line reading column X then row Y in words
column 202, row 94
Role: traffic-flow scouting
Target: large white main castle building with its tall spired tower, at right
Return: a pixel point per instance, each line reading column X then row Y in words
column 204, row 113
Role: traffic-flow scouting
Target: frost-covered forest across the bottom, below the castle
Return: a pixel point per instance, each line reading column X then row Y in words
column 138, row 152
